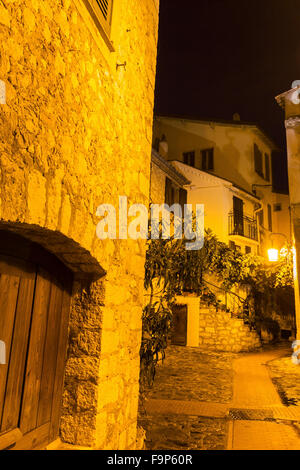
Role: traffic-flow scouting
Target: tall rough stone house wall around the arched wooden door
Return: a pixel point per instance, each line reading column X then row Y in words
column 75, row 133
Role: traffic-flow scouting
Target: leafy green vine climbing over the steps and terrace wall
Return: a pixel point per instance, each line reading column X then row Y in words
column 170, row 269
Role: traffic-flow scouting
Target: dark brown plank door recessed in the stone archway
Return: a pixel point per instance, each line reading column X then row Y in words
column 35, row 290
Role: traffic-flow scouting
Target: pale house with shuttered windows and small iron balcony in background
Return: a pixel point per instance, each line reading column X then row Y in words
column 229, row 165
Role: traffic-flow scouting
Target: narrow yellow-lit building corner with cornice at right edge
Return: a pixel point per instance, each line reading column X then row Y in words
column 290, row 102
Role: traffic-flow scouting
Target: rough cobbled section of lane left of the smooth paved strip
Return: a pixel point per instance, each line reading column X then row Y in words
column 189, row 387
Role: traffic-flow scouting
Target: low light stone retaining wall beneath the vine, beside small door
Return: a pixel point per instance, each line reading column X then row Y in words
column 220, row 332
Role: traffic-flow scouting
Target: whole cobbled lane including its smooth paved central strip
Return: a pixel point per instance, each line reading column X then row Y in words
column 215, row 401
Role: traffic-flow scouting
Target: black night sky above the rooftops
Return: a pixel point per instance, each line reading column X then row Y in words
column 218, row 57
